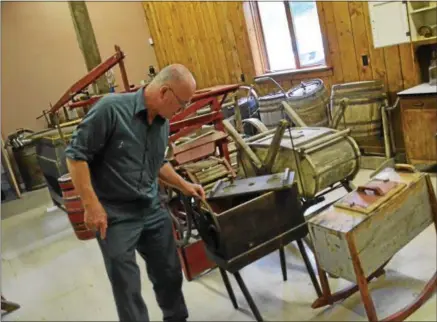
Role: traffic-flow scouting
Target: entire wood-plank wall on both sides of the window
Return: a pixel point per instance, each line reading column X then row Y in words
column 212, row 39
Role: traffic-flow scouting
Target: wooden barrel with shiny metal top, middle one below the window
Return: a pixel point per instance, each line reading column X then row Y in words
column 311, row 102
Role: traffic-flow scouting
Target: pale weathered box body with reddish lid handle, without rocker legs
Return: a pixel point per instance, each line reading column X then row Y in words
column 380, row 218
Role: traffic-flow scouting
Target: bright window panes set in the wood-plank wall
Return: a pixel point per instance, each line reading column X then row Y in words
column 290, row 35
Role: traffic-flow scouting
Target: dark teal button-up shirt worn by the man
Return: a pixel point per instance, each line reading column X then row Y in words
column 123, row 150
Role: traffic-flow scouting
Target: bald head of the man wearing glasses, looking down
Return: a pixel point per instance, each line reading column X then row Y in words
column 170, row 90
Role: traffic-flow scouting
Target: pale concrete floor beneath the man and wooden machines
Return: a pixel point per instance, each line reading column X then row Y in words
column 55, row 277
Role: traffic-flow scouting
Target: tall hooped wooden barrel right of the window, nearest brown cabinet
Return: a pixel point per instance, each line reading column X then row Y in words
column 363, row 113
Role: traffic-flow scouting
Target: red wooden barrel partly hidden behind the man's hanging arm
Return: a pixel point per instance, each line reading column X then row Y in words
column 74, row 207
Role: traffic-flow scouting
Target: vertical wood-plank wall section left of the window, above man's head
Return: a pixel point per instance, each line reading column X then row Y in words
column 210, row 38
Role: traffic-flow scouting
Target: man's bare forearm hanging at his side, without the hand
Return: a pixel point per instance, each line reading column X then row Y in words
column 80, row 176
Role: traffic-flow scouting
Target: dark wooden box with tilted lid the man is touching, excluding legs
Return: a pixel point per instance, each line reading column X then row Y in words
column 250, row 213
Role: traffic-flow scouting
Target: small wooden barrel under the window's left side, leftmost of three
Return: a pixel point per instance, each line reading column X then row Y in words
column 270, row 109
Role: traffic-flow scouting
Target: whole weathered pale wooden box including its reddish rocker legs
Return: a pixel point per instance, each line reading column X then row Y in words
column 356, row 236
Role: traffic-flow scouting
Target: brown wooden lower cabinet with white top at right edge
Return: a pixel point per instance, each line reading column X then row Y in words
column 419, row 123
